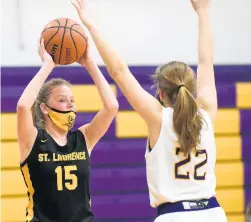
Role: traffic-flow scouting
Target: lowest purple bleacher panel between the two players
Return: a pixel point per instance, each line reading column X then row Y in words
column 123, row 206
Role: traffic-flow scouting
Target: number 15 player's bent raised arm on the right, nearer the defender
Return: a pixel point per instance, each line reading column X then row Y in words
column 103, row 119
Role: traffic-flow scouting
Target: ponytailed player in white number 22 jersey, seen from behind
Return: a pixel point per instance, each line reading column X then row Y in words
column 181, row 153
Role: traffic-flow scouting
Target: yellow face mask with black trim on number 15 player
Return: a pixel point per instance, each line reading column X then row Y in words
column 62, row 119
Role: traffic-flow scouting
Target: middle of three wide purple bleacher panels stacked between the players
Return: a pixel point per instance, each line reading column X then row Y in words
column 118, row 180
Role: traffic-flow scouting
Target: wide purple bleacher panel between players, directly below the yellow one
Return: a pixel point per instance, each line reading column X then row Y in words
column 119, row 152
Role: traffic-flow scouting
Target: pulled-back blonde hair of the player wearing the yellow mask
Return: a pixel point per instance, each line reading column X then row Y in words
column 43, row 97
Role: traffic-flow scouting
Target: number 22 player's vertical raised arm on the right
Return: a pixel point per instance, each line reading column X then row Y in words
column 207, row 96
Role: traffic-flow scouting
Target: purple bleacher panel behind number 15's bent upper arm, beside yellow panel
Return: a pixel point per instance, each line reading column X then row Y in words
column 84, row 118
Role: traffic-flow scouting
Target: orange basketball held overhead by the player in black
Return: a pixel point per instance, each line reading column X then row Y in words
column 64, row 40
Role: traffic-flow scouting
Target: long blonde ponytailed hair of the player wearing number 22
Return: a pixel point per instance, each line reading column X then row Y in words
column 177, row 81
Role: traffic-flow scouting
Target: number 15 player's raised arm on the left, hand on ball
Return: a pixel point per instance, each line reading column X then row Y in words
column 26, row 130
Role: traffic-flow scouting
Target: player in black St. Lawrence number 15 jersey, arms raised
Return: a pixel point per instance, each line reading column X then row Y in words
column 55, row 161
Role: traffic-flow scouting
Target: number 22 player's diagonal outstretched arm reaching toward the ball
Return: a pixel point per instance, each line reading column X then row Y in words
column 144, row 103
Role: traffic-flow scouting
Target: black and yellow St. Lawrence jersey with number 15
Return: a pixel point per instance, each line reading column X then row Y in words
column 58, row 179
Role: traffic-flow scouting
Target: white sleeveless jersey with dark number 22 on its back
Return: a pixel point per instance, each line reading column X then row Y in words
column 171, row 175
